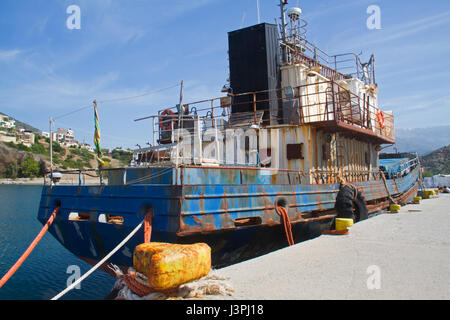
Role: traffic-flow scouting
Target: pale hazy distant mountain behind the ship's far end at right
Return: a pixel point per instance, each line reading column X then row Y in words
column 420, row 140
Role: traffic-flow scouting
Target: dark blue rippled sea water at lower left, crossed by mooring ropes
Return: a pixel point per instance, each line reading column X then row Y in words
column 50, row 267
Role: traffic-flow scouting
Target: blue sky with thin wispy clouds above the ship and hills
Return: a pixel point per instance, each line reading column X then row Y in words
column 130, row 47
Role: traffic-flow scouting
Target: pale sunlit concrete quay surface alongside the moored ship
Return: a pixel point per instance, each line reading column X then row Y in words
column 390, row 256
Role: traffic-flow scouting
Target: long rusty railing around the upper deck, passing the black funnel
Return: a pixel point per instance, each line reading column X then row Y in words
column 333, row 103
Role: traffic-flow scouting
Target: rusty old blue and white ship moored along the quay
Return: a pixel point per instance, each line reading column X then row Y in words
column 292, row 126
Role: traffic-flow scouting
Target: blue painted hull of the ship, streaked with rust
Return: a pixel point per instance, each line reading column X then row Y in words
column 235, row 214
